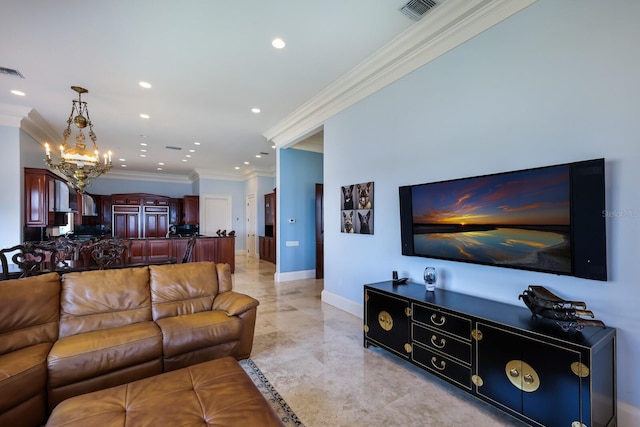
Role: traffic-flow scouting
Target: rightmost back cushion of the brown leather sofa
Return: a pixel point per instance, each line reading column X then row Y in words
column 180, row 289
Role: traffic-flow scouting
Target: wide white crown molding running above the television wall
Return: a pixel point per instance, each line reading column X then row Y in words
column 447, row 26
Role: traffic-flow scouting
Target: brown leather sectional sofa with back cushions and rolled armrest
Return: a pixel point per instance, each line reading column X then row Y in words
column 87, row 331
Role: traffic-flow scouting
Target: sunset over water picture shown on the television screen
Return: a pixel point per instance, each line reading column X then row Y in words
column 520, row 219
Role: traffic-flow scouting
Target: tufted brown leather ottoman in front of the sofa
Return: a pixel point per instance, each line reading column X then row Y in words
column 214, row 393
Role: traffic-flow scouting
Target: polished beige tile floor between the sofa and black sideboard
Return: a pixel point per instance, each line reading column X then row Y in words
column 313, row 354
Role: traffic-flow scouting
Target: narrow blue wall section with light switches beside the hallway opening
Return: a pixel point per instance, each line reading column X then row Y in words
column 298, row 174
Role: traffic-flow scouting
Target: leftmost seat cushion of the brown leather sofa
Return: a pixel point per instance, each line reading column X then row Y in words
column 23, row 374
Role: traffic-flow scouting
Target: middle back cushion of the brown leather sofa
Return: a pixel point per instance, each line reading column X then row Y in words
column 104, row 299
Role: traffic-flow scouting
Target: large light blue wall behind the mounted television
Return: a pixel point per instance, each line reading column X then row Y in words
column 558, row 82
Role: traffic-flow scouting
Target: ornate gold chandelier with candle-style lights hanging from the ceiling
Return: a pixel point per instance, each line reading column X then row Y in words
column 78, row 164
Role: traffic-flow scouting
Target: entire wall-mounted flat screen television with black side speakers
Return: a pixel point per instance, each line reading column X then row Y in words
column 549, row 219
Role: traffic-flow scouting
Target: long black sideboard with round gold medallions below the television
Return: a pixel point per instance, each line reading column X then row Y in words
column 526, row 366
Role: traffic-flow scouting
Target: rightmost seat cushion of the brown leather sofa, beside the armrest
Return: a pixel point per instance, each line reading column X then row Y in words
column 183, row 334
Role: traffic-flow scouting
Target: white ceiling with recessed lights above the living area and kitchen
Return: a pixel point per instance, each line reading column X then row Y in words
column 209, row 61
